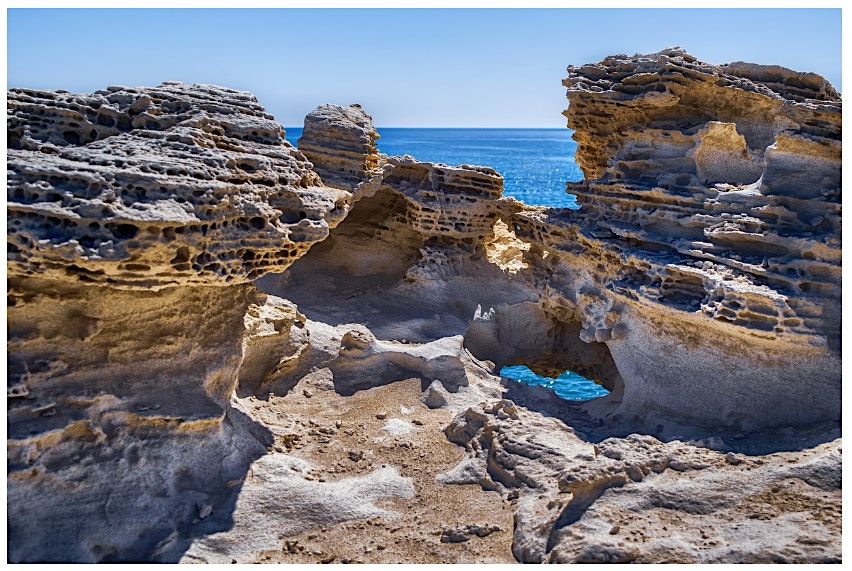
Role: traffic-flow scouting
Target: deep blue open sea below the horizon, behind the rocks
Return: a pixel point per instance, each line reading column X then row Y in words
column 535, row 163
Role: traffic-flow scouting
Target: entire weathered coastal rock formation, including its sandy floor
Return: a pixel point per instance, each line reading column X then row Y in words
column 225, row 349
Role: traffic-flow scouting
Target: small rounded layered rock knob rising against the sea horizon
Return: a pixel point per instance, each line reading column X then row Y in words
column 341, row 144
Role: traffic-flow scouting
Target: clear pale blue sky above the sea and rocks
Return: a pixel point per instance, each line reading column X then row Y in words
column 408, row 68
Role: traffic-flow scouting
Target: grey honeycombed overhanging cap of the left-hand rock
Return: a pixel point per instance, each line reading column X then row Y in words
column 152, row 187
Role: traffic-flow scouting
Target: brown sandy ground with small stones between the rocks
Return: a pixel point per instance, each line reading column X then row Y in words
column 351, row 436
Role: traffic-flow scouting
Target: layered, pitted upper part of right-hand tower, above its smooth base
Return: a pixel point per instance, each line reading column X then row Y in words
column 720, row 185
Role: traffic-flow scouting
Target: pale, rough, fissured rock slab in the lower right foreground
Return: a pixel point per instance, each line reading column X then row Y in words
column 640, row 500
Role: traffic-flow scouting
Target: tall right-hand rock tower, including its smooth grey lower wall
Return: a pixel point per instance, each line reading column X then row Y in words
column 714, row 191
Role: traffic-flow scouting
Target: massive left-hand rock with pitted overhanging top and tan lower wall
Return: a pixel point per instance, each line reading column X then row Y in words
column 137, row 220
